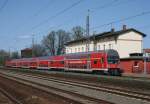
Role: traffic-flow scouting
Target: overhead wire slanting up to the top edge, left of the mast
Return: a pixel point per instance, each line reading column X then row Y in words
column 57, row 14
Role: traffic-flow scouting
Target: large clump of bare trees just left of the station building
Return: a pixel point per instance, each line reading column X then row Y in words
column 55, row 41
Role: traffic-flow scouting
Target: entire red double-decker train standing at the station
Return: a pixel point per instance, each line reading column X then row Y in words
column 99, row 62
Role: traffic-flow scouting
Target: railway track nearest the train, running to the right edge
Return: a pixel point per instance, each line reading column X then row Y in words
column 127, row 93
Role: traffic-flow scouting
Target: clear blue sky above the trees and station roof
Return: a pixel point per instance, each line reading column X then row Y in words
column 19, row 19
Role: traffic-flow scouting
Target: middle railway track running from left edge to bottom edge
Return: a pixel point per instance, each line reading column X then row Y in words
column 83, row 99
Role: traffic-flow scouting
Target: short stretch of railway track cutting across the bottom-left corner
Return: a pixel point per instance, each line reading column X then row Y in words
column 10, row 97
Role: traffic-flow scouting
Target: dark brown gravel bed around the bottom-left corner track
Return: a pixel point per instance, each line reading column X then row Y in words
column 29, row 95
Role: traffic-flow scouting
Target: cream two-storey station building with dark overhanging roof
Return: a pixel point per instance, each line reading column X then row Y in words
column 125, row 41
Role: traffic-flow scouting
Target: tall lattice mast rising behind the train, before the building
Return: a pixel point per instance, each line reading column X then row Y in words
column 87, row 33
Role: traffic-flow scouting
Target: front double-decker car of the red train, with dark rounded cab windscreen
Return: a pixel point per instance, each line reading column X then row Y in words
column 101, row 61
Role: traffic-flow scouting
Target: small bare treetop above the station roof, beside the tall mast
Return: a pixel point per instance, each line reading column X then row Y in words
column 78, row 32
